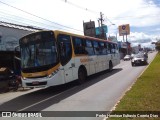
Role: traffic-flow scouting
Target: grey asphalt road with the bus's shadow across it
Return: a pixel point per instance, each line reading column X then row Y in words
column 100, row 92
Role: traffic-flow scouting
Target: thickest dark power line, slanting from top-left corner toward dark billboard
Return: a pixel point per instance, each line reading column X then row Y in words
column 39, row 17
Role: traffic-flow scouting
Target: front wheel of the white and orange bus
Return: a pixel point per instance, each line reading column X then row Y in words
column 82, row 75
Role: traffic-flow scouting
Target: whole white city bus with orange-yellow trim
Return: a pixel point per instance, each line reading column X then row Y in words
column 50, row 58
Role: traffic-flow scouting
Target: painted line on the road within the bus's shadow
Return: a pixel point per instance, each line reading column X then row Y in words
column 43, row 100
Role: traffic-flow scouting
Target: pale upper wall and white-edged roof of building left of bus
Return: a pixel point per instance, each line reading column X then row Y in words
column 11, row 33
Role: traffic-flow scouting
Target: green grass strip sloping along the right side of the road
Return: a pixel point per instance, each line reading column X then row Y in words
column 145, row 93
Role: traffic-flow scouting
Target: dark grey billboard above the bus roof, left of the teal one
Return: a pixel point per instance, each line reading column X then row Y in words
column 89, row 28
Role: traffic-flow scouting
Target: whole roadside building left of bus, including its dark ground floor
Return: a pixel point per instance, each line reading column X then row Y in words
column 9, row 38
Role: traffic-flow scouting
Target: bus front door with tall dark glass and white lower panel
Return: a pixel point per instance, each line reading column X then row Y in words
column 65, row 48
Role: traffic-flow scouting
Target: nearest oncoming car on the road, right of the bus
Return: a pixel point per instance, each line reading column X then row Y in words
column 139, row 59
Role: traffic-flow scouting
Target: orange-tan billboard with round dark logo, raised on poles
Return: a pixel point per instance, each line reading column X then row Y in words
column 124, row 29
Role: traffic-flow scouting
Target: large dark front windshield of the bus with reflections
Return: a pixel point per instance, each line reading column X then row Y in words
column 38, row 50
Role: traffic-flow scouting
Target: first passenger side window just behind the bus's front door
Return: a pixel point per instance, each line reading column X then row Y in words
column 78, row 45
